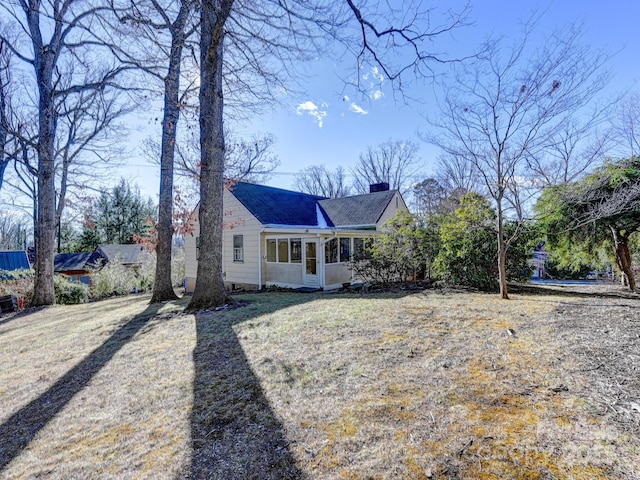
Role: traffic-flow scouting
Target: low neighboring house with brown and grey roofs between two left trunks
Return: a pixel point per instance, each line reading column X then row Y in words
column 79, row 266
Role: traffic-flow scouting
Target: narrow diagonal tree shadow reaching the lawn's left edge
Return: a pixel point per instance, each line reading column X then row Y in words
column 20, row 428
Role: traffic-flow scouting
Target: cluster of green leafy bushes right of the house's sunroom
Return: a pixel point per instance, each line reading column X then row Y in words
column 461, row 247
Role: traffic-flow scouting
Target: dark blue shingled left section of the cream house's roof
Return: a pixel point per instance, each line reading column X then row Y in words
column 275, row 206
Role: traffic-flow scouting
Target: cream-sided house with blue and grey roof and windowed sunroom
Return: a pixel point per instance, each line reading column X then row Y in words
column 291, row 239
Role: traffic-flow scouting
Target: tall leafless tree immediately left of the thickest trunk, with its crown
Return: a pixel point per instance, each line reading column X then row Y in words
column 157, row 33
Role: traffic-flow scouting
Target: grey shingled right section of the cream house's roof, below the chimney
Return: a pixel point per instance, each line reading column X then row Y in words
column 359, row 210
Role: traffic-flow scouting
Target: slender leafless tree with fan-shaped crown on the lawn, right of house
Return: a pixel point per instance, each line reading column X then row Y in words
column 505, row 108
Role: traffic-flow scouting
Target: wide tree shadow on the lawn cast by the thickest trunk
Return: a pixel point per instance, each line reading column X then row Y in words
column 235, row 434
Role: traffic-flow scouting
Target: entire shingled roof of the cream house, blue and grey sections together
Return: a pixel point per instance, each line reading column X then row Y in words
column 275, row 206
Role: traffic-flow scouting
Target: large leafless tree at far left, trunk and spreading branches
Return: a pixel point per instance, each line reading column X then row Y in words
column 61, row 42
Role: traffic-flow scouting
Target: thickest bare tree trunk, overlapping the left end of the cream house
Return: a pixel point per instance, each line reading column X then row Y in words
column 209, row 290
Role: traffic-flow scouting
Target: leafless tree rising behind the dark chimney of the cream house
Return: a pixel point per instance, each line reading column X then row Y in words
column 393, row 162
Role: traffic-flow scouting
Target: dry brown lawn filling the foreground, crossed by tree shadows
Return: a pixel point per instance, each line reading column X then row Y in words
column 411, row 385
